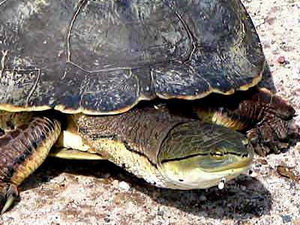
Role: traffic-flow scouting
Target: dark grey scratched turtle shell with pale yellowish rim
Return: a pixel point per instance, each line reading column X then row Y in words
column 103, row 57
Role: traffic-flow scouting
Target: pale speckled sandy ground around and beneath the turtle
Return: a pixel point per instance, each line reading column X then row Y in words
column 65, row 192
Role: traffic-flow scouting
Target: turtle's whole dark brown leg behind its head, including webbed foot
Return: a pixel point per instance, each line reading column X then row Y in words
column 266, row 118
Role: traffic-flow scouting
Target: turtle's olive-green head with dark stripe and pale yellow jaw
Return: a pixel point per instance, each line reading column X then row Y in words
column 196, row 155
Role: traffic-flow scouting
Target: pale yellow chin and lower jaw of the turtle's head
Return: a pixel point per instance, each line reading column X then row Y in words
column 188, row 174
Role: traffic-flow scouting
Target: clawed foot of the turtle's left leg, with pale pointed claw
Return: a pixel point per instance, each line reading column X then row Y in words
column 8, row 194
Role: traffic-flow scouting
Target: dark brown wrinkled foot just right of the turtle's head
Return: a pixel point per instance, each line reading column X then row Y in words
column 273, row 126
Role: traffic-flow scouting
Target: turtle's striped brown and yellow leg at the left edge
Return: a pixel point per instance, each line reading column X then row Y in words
column 25, row 142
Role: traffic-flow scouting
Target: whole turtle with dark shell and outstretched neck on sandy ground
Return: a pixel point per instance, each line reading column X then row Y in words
column 165, row 89
